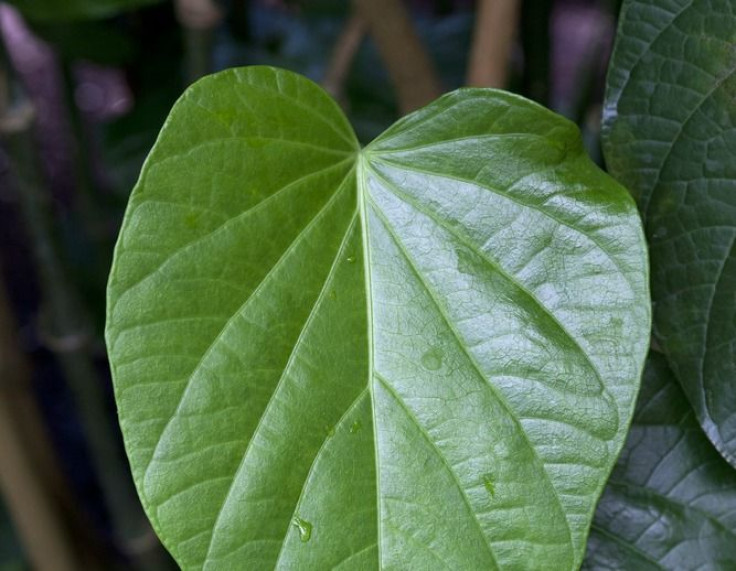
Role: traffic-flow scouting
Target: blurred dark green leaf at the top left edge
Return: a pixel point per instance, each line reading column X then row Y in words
column 56, row 10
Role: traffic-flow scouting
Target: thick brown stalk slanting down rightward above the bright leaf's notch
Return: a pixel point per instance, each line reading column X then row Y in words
column 412, row 71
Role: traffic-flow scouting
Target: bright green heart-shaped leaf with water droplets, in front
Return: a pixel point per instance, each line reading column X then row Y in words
column 418, row 355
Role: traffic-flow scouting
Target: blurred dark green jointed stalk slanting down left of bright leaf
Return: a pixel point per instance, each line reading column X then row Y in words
column 67, row 333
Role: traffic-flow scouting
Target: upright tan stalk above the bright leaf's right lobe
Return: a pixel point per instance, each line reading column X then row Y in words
column 493, row 39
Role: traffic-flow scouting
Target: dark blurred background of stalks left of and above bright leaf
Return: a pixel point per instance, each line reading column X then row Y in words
column 85, row 86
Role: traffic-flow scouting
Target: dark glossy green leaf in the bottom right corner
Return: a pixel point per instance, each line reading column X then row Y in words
column 671, row 500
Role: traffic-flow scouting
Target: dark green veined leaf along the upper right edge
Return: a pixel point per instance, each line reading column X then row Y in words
column 670, row 136
